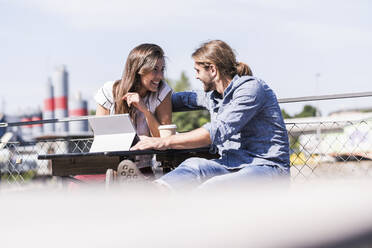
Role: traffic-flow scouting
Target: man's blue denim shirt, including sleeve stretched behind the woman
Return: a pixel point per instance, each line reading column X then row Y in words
column 246, row 124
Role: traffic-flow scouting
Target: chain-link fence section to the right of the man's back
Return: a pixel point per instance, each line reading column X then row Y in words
column 328, row 149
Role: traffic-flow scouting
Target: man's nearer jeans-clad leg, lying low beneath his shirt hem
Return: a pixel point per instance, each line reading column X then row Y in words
column 247, row 174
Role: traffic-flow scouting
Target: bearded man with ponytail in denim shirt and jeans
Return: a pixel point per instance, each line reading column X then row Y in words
column 246, row 125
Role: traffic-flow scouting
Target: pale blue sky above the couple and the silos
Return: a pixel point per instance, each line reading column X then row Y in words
column 285, row 42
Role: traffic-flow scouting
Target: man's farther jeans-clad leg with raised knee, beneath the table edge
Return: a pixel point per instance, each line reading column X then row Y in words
column 192, row 172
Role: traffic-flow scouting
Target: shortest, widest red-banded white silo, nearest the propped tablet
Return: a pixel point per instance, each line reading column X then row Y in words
column 78, row 107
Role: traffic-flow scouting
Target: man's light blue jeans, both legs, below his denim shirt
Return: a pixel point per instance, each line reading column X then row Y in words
column 211, row 173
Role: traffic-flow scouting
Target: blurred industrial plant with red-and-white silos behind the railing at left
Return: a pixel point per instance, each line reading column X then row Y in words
column 56, row 105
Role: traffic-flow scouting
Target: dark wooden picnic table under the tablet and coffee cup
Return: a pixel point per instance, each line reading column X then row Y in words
column 71, row 164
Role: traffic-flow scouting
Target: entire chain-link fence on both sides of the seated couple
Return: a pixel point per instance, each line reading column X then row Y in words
column 319, row 149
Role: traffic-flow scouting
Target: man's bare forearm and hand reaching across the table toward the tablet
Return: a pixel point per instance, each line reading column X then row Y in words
column 197, row 138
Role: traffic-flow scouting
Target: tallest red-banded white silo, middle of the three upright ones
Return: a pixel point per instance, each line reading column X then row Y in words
column 60, row 80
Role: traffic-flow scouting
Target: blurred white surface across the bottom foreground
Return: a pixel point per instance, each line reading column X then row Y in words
column 329, row 213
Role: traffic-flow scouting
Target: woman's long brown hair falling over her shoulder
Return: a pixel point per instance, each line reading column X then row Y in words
column 141, row 60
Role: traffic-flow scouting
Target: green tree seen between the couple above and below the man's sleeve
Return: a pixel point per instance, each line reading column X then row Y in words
column 189, row 120
